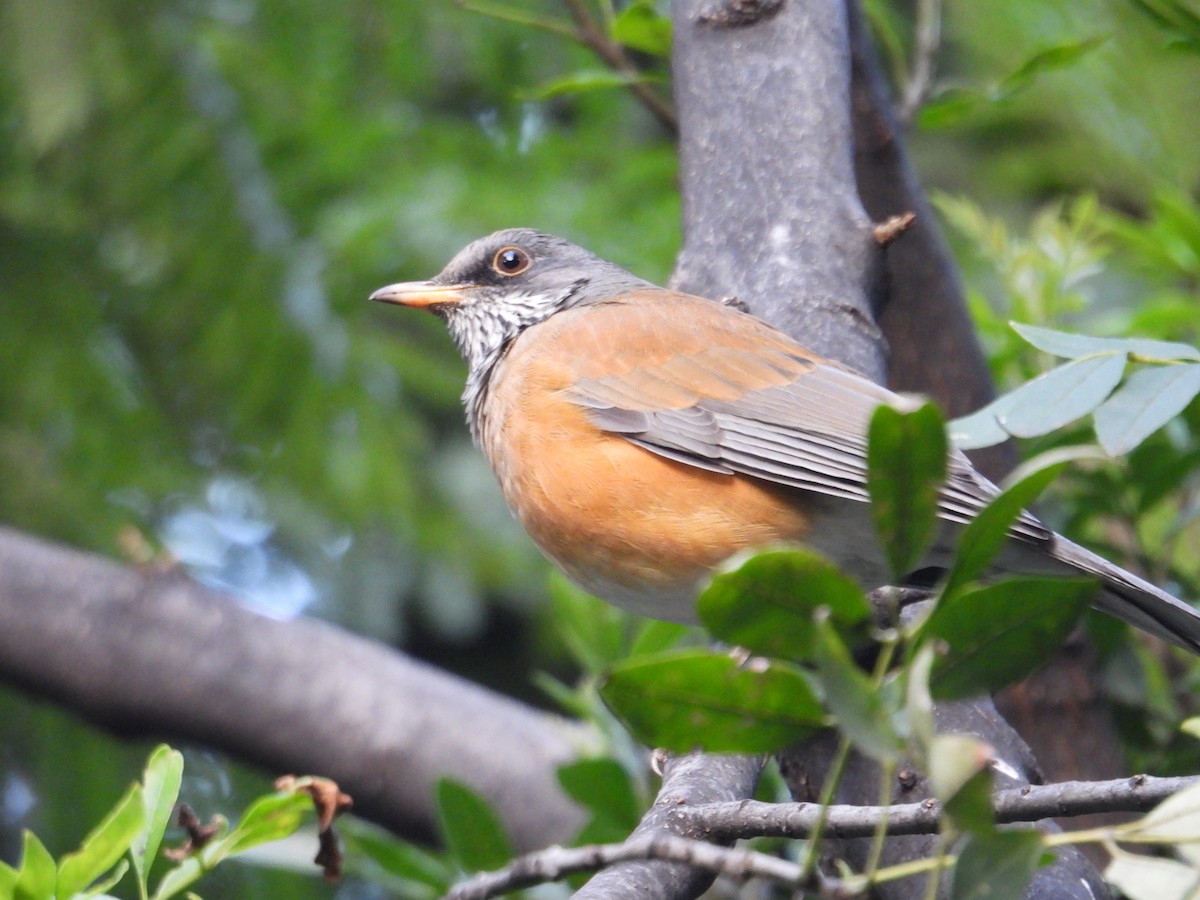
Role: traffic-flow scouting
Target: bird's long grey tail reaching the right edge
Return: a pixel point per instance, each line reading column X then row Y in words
column 1133, row 599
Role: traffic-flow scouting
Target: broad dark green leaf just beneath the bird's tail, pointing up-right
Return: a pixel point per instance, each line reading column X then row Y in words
column 999, row 634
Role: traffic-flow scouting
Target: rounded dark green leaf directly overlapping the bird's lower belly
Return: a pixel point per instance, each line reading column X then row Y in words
column 766, row 602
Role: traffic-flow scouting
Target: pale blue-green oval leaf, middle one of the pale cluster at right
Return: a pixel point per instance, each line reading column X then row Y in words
column 1063, row 395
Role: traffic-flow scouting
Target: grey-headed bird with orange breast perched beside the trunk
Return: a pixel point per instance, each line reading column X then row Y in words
column 644, row 436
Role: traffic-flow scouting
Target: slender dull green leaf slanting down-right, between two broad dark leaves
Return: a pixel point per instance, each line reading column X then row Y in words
column 854, row 699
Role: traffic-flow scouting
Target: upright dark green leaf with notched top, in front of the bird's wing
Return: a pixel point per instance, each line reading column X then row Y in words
column 907, row 467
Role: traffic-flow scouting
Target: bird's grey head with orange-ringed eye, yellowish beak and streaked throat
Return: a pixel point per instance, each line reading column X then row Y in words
column 503, row 284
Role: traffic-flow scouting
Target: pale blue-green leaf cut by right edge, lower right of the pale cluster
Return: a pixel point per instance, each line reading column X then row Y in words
column 1148, row 400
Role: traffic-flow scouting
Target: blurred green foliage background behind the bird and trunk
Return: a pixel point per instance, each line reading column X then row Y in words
column 196, row 199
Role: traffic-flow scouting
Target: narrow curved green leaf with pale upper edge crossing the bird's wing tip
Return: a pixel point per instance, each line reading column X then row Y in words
column 987, row 535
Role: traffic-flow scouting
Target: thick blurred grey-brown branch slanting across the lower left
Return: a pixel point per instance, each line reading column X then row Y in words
column 143, row 652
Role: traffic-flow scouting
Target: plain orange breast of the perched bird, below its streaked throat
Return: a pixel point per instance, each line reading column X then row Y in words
column 633, row 527
